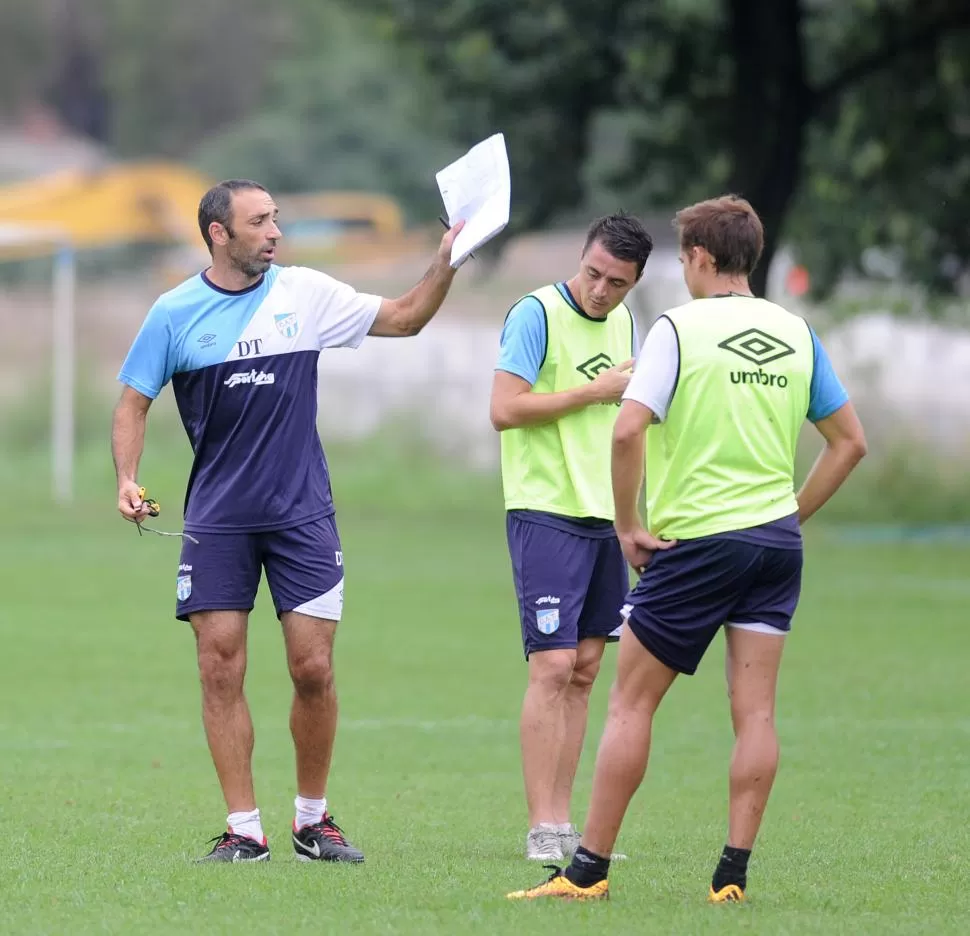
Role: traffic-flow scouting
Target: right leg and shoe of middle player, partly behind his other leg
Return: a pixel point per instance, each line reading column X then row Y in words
column 589, row 654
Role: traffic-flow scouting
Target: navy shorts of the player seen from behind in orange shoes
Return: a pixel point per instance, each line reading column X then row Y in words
column 688, row 592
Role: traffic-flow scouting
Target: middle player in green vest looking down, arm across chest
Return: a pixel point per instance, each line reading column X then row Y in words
column 565, row 358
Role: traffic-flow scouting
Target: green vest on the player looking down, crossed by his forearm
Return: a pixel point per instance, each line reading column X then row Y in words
column 563, row 467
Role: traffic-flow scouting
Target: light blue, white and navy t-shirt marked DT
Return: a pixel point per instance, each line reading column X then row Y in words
column 243, row 367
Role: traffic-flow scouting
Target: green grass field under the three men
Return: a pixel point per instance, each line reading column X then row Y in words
column 108, row 793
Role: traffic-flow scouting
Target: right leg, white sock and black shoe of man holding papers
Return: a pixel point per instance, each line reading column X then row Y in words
column 313, row 724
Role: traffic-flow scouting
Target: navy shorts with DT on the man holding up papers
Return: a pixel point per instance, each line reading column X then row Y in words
column 304, row 571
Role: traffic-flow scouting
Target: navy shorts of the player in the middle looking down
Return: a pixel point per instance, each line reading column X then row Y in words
column 570, row 587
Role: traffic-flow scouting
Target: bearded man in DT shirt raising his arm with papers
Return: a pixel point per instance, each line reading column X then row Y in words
column 240, row 343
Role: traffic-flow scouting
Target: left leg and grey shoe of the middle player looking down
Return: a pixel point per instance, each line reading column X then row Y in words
column 542, row 737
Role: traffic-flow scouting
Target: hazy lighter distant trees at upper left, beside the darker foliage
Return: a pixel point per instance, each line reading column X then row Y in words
column 300, row 94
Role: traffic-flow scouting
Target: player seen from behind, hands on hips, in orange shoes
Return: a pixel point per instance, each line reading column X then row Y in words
column 724, row 384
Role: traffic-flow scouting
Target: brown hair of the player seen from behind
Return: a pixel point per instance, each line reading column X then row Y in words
column 728, row 228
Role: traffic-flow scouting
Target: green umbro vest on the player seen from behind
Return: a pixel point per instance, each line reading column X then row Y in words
column 724, row 459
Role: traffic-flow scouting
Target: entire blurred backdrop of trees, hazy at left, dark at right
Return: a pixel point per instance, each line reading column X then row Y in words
column 846, row 122
